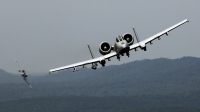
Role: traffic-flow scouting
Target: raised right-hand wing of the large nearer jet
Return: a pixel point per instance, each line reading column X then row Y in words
column 158, row 35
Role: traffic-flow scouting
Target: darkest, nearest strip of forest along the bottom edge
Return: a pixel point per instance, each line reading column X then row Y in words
column 103, row 104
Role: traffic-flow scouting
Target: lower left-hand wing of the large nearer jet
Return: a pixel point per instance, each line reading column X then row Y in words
column 98, row 59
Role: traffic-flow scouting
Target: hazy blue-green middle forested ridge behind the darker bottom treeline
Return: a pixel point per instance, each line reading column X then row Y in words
column 156, row 77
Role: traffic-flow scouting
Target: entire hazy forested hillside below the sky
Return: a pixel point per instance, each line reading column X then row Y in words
column 170, row 85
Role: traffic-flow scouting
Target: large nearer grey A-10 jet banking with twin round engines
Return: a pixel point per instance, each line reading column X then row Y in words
column 123, row 44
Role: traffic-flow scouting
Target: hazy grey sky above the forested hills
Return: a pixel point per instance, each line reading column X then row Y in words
column 46, row 34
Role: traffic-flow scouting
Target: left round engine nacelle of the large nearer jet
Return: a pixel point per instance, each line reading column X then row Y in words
column 105, row 48
